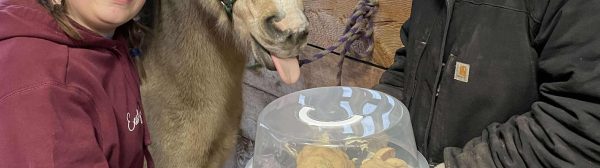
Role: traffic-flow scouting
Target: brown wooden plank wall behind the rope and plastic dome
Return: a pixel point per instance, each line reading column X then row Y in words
column 327, row 22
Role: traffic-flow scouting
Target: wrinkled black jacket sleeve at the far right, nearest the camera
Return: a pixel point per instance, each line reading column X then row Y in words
column 562, row 128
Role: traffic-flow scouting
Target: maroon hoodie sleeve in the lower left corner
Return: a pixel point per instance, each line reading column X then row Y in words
column 48, row 125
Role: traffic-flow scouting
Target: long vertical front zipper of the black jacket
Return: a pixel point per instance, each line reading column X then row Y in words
column 449, row 10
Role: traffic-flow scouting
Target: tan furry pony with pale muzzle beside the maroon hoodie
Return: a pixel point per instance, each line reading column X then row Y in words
column 194, row 67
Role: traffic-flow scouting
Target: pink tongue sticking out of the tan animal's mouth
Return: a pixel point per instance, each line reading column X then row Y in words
column 288, row 69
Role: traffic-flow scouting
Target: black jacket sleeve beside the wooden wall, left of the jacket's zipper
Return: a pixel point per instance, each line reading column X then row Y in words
column 392, row 80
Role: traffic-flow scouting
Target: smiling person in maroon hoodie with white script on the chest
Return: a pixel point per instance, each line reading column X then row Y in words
column 69, row 92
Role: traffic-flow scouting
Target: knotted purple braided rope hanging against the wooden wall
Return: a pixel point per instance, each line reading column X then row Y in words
column 359, row 27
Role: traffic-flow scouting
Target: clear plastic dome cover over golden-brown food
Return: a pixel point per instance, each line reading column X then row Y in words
column 336, row 127
